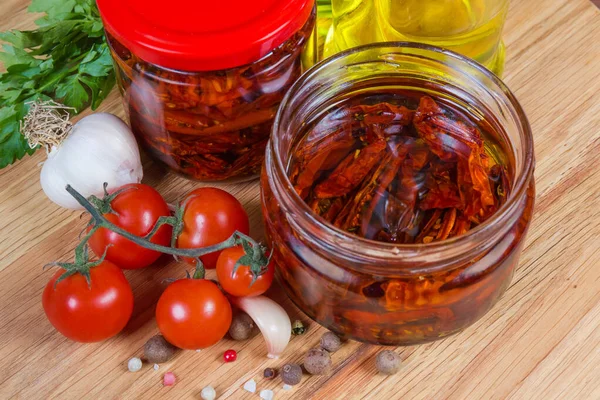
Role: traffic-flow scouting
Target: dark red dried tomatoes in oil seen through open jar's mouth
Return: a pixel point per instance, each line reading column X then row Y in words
column 401, row 168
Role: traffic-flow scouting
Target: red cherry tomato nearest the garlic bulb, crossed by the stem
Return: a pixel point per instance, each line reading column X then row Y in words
column 136, row 210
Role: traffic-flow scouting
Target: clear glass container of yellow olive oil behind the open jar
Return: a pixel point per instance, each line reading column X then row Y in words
column 470, row 27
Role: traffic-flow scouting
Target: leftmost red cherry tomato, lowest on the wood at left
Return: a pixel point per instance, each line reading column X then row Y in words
column 89, row 313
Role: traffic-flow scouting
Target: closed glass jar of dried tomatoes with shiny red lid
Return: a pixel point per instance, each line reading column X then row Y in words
column 201, row 81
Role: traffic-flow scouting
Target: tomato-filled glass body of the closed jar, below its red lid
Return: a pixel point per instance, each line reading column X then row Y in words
column 208, row 125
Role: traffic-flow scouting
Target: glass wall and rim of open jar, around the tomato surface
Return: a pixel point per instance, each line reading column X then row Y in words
column 396, row 293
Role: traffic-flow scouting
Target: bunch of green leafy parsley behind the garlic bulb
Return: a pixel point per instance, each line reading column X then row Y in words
column 65, row 59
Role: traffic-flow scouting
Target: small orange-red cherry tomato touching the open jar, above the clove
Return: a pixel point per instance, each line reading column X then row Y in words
column 238, row 284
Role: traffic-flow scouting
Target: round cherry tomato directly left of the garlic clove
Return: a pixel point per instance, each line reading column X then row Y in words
column 193, row 314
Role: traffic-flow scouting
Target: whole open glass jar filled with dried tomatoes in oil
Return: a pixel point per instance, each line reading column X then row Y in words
column 396, row 144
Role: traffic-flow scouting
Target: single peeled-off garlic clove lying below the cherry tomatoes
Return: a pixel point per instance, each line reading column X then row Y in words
column 271, row 319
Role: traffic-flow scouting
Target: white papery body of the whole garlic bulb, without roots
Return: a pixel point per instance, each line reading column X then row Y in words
column 100, row 148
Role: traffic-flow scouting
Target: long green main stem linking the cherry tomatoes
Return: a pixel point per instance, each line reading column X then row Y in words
column 101, row 222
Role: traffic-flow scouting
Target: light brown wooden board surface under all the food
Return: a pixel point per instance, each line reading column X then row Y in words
column 541, row 341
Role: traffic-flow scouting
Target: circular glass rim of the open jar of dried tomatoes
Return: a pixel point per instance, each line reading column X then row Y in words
column 523, row 175
